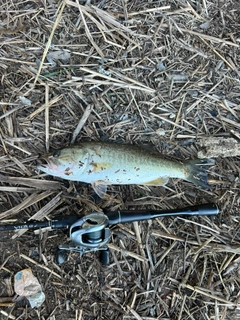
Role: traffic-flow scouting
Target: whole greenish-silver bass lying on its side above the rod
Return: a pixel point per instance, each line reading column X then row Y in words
column 107, row 163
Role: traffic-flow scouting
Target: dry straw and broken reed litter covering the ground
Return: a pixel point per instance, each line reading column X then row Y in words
column 164, row 73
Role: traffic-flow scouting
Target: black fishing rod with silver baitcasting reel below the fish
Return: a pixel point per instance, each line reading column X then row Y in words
column 91, row 233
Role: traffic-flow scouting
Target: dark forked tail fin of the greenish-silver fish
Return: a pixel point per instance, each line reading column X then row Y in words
column 197, row 172
